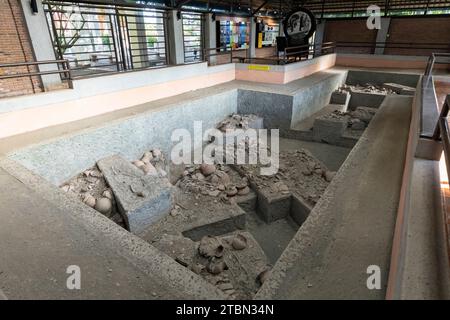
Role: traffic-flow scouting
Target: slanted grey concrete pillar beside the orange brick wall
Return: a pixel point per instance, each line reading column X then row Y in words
column 41, row 42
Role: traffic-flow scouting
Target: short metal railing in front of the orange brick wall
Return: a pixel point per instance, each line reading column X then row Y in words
column 63, row 70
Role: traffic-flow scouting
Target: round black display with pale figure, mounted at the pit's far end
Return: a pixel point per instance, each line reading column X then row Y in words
column 299, row 26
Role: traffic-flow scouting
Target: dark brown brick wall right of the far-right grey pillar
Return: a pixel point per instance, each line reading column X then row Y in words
column 419, row 30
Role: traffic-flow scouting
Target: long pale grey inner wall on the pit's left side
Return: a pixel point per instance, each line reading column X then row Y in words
column 63, row 158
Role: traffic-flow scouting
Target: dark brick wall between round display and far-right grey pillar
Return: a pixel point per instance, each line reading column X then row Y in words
column 349, row 30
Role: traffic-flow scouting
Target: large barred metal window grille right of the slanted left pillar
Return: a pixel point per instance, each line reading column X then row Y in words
column 107, row 39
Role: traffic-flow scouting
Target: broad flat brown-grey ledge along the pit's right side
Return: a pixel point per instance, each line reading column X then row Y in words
column 352, row 225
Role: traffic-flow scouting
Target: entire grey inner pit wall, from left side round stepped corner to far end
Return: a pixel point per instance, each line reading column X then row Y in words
column 60, row 159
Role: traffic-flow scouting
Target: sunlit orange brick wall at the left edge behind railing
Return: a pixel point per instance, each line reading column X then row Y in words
column 15, row 47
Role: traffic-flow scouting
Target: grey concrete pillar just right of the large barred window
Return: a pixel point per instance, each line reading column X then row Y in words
column 175, row 34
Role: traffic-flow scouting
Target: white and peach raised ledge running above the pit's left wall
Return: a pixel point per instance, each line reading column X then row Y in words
column 96, row 96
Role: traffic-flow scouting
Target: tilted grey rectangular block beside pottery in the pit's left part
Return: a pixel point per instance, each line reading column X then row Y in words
column 141, row 199
